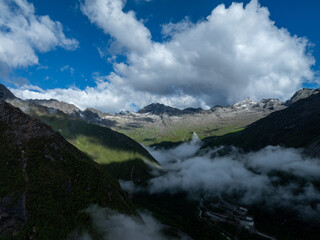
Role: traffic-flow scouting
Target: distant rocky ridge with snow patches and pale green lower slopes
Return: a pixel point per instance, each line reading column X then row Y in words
column 156, row 123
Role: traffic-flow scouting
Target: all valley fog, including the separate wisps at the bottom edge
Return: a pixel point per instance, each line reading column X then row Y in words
column 274, row 177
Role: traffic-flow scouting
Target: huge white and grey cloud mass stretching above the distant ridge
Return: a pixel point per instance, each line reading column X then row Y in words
column 234, row 53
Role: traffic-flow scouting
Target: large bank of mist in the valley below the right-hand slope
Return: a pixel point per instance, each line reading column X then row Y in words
column 273, row 176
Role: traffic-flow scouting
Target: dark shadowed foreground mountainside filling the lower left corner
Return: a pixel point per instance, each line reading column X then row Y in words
column 45, row 182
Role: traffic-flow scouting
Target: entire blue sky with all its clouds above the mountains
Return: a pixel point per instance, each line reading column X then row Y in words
column 114, row 54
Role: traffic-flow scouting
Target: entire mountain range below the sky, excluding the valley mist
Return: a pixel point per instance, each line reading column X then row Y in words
column 56, row 160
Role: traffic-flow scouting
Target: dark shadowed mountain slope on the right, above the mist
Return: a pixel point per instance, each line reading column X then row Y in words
column 296, row 126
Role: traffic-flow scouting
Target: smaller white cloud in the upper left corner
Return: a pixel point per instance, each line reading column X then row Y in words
column 23, row 34
